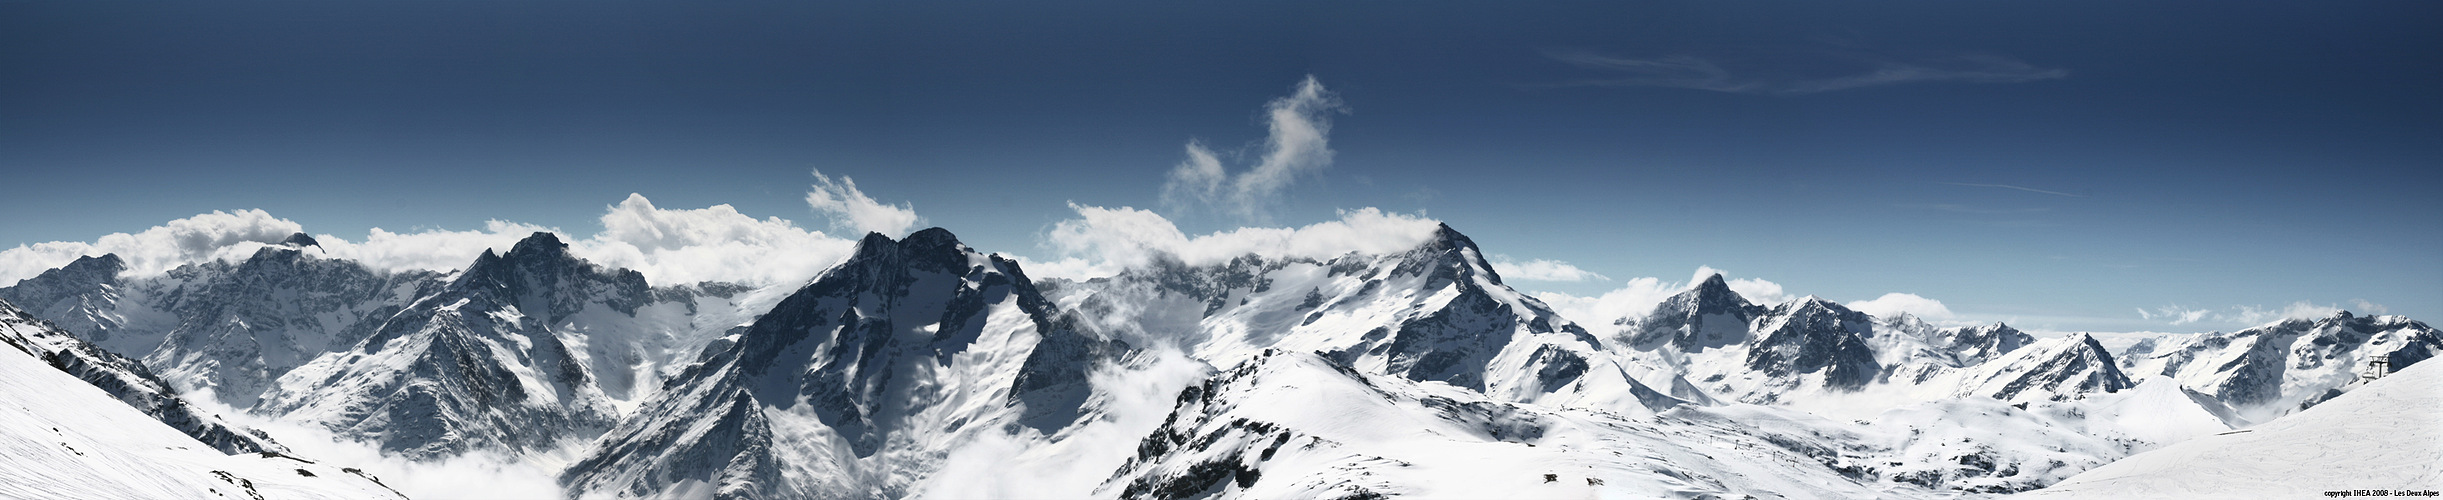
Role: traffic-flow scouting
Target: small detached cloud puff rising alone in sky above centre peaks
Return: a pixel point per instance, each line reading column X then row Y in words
column 1296, row 148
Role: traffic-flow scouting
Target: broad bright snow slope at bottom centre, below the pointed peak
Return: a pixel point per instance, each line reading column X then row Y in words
column 1301, row 426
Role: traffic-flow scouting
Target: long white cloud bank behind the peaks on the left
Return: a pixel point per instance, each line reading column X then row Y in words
column 671, row 248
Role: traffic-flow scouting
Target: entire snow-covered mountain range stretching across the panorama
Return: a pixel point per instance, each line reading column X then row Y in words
column 1382, row 374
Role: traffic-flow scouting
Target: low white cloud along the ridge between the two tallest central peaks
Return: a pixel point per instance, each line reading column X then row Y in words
column 1105, row 240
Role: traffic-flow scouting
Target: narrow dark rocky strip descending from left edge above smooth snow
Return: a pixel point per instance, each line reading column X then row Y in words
column 123, row 379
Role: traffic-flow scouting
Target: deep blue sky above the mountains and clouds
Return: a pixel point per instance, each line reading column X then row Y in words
column 2061, row 165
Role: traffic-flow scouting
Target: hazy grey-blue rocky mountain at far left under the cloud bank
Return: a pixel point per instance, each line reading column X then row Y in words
column 226, row 328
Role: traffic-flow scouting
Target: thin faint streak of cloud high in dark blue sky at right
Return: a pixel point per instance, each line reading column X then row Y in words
column 1831, row 72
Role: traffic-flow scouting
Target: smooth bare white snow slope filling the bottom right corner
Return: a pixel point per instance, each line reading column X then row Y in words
column 2383, row 435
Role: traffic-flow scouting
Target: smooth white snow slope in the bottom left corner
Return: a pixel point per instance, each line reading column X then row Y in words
column 62, row 438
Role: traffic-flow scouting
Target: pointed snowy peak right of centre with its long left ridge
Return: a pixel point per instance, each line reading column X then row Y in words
column 1433, row 313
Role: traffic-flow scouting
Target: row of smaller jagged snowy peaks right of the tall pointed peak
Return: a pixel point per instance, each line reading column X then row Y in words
column 1714, row 345
